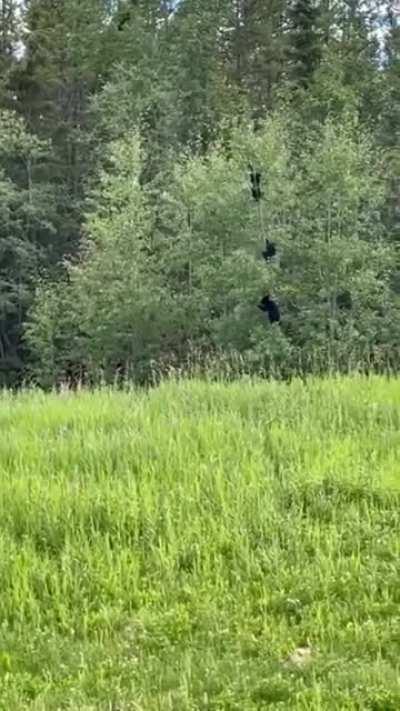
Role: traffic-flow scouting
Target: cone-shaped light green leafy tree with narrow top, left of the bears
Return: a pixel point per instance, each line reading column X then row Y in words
column 112, row 311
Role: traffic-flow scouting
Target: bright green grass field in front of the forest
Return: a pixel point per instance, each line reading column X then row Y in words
column 169, row 549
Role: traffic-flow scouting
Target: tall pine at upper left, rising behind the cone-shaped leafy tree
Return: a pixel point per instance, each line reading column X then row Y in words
column 60, row 70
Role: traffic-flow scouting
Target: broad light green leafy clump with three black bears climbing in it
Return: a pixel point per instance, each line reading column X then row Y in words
column 324, row 198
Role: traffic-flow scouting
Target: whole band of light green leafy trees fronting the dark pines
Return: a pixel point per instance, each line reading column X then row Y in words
column 153, row 285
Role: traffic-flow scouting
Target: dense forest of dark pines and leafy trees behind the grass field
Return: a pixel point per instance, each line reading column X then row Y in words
column 130, row 241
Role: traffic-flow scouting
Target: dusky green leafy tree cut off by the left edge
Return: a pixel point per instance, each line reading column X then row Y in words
column 25, row 208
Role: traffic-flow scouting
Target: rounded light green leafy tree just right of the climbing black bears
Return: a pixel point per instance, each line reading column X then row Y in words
column 340, row 247
